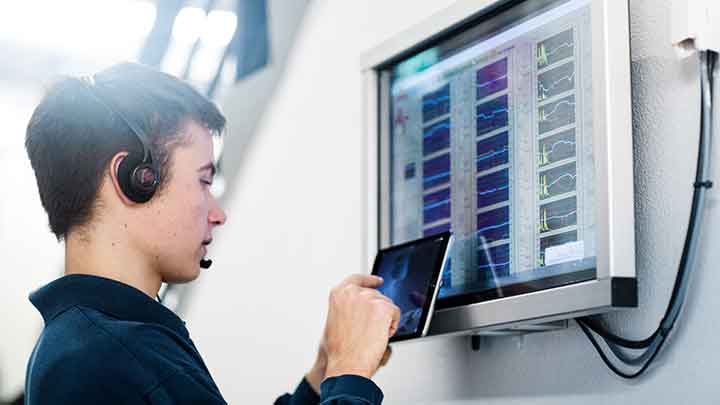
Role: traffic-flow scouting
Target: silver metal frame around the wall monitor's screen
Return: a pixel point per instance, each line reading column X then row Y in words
column 615, row 283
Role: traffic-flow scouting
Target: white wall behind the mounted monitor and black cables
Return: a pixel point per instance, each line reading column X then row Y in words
column 295, row 229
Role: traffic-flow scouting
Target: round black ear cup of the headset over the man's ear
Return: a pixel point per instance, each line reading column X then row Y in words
column 138, row 180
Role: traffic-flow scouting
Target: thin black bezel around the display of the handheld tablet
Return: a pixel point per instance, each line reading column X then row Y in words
column 435, row 280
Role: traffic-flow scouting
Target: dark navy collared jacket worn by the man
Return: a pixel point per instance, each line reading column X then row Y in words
column 105, row 342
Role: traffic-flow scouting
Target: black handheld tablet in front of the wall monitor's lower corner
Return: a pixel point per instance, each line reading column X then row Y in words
column 413, row 273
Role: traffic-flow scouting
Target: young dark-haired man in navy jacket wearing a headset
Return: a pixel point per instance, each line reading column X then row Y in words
column 123, row 162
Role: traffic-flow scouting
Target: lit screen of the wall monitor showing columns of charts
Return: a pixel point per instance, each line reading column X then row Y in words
column 491, row 137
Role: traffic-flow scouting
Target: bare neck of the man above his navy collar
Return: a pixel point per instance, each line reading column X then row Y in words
column 108, row 257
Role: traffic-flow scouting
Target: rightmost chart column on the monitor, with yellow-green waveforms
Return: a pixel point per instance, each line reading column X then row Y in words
column 557, row 144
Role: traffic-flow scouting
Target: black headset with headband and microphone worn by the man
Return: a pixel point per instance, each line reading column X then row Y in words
column 138, row 174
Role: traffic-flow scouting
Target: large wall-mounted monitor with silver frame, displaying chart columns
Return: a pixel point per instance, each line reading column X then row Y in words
column 508, row 123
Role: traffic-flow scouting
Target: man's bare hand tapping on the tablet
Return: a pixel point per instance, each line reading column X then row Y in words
column 360, row 322
